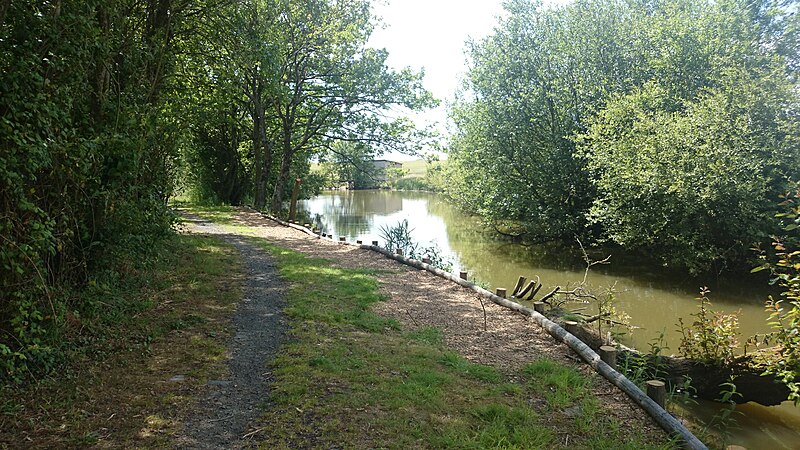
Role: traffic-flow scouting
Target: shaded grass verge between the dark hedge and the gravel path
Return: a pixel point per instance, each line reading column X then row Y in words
column 129, row 334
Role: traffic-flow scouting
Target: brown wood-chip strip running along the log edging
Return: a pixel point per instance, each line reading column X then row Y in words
column 419, row 299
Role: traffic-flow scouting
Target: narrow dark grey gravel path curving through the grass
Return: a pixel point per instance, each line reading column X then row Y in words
column 223, row 417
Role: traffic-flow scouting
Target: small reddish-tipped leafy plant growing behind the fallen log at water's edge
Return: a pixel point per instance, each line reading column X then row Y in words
column 712, row 337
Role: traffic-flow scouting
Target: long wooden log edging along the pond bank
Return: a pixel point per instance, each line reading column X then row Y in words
column 663, row 418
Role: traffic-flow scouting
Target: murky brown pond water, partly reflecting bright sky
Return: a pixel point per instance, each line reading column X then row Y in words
column 653, row 300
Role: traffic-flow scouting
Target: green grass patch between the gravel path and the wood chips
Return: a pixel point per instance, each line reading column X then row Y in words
column 349, row 378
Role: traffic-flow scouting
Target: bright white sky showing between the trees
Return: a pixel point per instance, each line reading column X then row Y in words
column 431, row 35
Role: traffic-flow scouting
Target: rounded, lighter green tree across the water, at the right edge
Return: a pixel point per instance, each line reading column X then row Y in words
column 687, row 167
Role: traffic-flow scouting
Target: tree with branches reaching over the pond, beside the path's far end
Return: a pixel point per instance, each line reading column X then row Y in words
column 335, row 89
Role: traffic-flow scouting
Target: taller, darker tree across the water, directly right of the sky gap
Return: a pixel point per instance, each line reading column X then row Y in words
column 530, row 87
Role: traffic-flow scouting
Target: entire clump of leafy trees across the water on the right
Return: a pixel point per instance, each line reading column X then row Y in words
column 666, row 127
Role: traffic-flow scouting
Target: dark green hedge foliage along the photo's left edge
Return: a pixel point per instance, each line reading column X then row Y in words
column 90, row 143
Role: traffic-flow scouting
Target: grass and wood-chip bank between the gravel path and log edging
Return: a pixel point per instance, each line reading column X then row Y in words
column 421, row 368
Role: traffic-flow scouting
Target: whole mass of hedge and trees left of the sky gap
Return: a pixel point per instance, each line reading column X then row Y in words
column 110, row 106
